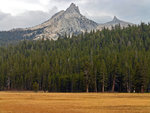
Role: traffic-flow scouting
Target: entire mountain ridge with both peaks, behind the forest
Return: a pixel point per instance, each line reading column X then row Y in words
column 67, row 22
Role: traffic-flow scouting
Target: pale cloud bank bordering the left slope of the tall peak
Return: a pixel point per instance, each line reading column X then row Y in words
column 26, row 19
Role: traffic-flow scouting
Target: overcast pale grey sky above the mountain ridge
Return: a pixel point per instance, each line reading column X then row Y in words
column 28, row 13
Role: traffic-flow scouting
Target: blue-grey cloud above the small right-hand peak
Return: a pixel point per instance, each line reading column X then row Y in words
column 129, row 10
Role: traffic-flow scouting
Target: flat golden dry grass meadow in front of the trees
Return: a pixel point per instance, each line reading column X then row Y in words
column 28, row 102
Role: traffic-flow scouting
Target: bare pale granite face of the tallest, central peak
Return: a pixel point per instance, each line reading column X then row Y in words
column 65, row 22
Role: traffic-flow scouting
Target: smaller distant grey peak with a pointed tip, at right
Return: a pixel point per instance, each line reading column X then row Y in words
column 113, row 23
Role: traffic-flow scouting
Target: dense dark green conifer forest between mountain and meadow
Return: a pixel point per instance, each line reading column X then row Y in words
column 116, row 60
